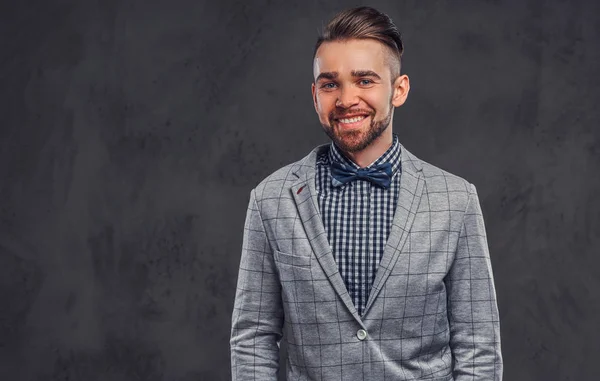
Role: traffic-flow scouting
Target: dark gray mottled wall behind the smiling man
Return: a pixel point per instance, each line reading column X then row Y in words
column 133, row 131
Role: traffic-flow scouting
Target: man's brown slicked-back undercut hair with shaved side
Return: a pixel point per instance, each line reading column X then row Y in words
column 365, row 23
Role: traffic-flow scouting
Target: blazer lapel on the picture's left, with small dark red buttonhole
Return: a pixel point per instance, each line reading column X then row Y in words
column 305, row 195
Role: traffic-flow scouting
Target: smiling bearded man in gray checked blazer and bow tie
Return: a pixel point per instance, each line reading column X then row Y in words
column 374, row 262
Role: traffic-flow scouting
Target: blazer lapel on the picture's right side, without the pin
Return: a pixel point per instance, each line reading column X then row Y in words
column 411, row 189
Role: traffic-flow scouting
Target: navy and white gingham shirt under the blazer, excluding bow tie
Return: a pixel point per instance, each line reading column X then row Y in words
column 358, row 218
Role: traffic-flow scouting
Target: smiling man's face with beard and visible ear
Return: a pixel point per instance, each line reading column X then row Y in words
column 353, row 91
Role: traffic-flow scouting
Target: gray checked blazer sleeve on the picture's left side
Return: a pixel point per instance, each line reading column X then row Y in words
column 257, row 320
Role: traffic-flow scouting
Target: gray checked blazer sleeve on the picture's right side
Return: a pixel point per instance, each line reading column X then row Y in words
column 472, row 307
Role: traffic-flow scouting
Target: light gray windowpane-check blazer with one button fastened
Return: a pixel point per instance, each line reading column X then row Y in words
column 431, row 314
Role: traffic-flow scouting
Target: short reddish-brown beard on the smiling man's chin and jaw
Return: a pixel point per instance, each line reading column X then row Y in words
column 357, row 140
